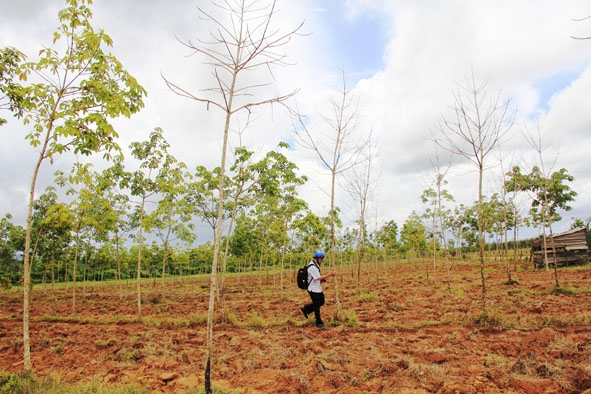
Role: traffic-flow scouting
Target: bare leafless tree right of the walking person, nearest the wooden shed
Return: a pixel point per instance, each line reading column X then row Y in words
column 477, row 125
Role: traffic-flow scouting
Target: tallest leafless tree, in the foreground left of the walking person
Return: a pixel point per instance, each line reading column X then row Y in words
column 242, row 43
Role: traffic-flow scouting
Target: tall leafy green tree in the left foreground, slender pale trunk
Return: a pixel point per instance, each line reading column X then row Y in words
column 67, row 98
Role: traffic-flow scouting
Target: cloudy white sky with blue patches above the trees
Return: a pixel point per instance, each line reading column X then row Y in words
column 403, row 59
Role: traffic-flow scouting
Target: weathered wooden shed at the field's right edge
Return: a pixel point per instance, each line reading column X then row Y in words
column 571, row 247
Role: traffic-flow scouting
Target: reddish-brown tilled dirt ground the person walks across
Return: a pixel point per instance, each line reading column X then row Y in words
column 402, row 331
